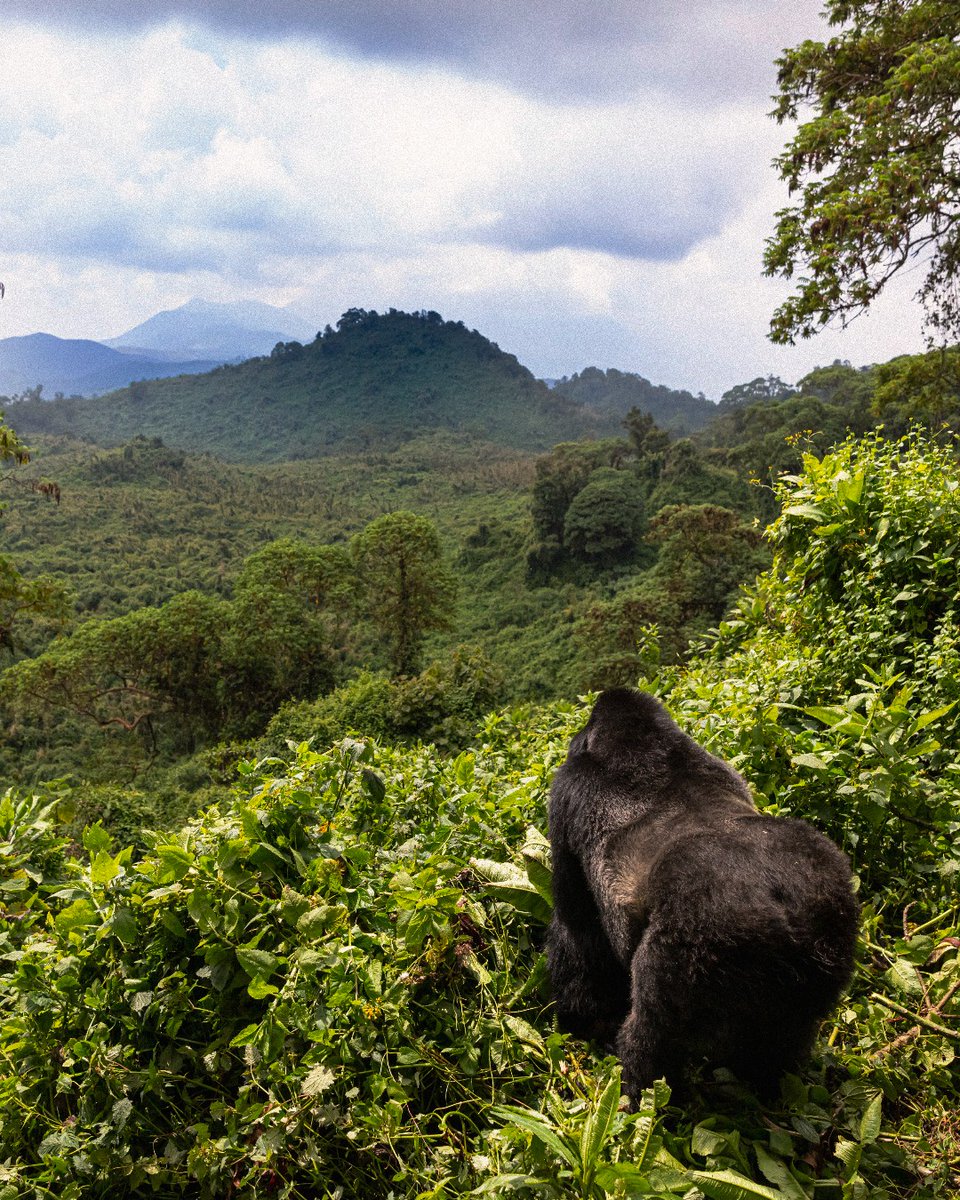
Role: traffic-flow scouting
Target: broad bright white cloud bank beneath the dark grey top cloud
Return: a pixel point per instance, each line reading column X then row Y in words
column 176, row 160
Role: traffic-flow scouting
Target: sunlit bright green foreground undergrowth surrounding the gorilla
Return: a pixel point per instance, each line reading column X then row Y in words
column 333, row 983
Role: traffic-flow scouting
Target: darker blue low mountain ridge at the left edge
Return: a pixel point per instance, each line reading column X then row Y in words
column 79, row 367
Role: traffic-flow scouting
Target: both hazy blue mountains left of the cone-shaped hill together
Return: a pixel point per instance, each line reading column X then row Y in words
column 190, row 340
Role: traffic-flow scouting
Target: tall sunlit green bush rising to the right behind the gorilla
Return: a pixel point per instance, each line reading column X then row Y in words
column 836, row 685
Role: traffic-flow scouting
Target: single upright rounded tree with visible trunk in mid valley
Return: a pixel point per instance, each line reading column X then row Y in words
column 406, row 586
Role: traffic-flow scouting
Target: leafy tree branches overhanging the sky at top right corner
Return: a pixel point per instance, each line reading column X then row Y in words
column 878, row 166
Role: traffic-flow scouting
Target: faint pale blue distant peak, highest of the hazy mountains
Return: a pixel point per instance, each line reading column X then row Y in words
column 226, row 333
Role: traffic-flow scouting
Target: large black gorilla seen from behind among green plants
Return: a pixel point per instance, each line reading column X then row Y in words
column 688, row 927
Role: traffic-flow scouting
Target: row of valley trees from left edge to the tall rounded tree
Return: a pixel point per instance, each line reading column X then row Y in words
column 200, row 669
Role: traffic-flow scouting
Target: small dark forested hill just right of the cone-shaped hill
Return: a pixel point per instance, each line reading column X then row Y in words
column 615, row 393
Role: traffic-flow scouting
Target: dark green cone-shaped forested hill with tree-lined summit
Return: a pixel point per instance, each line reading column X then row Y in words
column 376, row 380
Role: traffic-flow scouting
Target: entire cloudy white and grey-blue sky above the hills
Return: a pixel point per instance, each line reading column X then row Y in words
column 586, row 184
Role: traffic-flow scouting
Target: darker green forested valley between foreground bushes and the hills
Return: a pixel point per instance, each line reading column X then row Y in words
column 565, row 565
